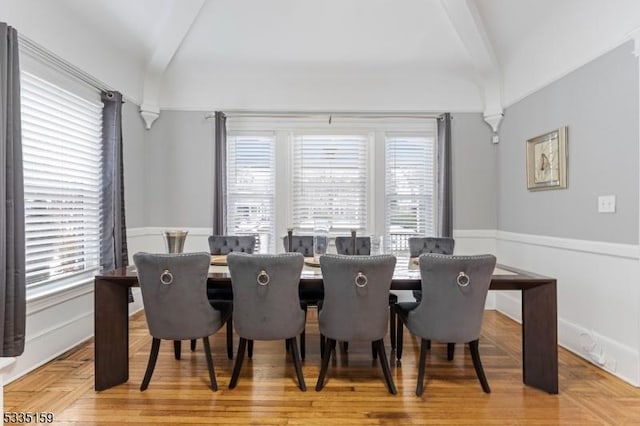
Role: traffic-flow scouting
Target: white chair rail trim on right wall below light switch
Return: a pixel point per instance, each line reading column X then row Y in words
column 630, row 251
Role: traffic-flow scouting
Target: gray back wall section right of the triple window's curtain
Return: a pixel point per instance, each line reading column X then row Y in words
column 474, row 173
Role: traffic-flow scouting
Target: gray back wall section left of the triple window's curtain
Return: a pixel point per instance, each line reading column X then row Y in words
column 178, row 170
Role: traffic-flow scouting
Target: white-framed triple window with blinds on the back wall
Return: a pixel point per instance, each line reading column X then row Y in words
column 374, row 174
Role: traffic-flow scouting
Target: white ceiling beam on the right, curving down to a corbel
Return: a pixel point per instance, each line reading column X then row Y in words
column 467, row 22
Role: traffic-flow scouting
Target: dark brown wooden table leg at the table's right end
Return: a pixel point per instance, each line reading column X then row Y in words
column 540, row 337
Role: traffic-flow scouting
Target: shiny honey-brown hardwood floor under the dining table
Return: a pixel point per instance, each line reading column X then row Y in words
column 355, row 393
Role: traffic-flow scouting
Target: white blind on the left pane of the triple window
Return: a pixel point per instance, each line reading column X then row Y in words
column 251, row 189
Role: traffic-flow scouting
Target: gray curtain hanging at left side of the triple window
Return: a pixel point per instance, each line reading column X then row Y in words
column 220, row 176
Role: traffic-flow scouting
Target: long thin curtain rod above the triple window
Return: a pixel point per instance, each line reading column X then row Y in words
column 307, row 114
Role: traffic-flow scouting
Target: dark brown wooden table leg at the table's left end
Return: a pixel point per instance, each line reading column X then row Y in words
column 111, row 322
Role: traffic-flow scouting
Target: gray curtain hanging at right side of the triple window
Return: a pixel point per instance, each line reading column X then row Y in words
column 445, row 187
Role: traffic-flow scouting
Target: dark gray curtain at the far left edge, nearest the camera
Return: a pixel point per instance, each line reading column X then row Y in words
column 12, row 237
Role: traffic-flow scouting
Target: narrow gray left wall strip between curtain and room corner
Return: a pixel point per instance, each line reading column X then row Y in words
column 133, row 135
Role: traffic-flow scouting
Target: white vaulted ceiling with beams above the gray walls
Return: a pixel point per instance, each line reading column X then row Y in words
column 326, row 54
